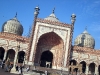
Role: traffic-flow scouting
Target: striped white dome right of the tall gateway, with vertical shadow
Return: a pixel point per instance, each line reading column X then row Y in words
column 85, row 40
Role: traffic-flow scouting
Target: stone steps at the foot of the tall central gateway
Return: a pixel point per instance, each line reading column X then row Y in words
column 42, row 71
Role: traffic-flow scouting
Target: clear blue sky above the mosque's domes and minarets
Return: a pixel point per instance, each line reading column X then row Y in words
column 87, row 14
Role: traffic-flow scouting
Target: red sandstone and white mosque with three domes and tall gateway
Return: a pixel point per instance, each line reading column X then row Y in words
column 50, row 45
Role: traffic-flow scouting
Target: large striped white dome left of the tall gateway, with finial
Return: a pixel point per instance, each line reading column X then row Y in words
column 13, row 26
